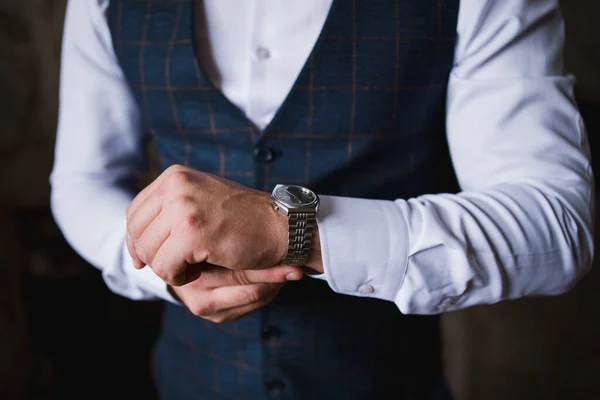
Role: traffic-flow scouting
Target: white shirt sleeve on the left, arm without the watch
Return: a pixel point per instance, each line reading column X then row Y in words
column 98, row 153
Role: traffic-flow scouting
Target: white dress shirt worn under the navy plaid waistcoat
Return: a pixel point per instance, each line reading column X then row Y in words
column 521, row 226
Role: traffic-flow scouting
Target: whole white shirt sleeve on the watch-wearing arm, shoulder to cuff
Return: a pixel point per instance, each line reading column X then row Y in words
column 522, row 223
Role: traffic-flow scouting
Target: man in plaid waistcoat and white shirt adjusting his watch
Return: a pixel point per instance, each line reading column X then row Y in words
column 364, row 100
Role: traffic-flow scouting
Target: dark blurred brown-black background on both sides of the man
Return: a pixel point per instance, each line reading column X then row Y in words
column 63, row 334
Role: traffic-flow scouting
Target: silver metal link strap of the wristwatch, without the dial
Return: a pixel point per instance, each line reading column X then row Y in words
column 300, row 228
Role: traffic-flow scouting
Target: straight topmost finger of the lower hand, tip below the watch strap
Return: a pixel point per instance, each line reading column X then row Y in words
column 215, row 277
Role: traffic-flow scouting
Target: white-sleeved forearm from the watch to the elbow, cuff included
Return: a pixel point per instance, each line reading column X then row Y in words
column 439, row 253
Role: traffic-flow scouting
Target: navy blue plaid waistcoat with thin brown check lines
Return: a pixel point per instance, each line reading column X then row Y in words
column 365, row 118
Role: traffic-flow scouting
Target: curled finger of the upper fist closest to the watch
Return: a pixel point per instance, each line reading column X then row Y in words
column 171, row 260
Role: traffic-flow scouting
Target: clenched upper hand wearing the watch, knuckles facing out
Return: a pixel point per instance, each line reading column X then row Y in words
column 189, row 217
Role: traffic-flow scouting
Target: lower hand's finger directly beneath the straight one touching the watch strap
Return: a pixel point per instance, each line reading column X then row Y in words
column 225, row 298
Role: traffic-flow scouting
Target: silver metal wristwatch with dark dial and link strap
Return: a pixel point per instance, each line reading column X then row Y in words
column 300, row 205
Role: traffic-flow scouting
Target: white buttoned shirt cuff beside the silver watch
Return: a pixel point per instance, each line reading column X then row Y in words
column 364, row 246
